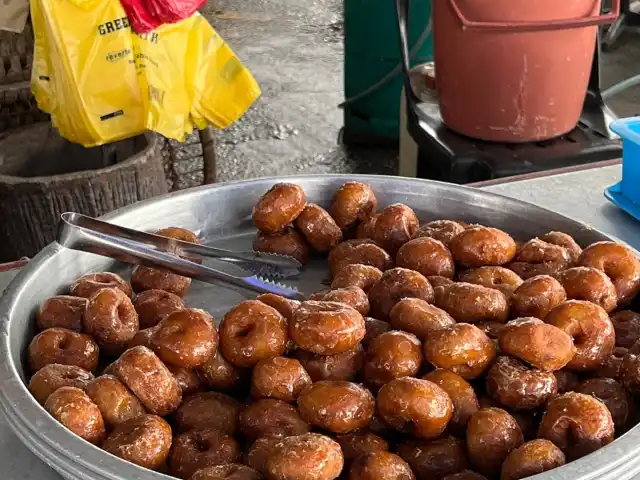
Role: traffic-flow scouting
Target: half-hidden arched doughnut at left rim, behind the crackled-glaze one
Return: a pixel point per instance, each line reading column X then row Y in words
column 53, row 376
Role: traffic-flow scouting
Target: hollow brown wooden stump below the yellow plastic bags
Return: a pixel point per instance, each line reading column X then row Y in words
column 43, row 176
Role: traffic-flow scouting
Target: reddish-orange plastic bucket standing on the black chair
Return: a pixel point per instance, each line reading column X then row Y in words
column 514, row 70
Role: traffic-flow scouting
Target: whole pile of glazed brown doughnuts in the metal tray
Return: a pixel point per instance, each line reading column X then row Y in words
column 442, row 351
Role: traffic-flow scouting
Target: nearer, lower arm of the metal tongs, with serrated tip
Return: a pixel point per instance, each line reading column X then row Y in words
column 76, row 237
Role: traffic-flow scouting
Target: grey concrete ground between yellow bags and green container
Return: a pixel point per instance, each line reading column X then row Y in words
column 294, row 49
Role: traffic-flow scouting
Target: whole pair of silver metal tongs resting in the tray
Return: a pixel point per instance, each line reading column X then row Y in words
column 79, row 232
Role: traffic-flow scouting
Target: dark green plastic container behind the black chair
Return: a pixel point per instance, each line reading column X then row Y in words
column 372, row 57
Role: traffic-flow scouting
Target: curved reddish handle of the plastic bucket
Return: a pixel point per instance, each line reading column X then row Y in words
column 537, row 26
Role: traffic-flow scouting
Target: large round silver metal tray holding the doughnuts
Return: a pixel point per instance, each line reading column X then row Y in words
column 221, row 216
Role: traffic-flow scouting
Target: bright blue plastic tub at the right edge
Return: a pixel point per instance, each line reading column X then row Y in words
column 626, row 193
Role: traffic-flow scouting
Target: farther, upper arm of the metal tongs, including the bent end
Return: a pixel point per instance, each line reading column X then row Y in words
column 259, row 263
